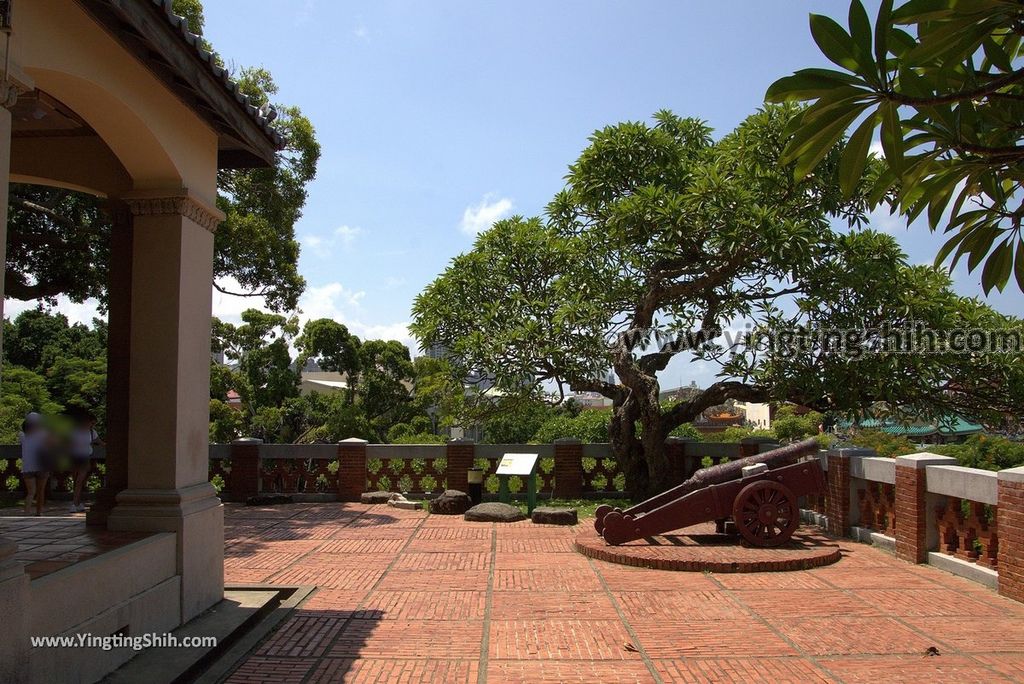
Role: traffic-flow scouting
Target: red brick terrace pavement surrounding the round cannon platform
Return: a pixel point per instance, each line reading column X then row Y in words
column 407, row 597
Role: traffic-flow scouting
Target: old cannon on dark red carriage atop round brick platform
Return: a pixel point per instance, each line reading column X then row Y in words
column 762, row 505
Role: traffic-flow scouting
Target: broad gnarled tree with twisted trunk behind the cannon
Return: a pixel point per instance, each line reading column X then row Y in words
column 662, row 233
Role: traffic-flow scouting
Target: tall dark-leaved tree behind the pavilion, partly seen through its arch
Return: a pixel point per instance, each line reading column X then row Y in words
column 59, row 240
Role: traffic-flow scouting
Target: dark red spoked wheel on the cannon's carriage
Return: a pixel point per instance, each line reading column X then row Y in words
column 765, row 514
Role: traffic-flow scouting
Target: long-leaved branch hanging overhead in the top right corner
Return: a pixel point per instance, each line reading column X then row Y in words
column 943, row 83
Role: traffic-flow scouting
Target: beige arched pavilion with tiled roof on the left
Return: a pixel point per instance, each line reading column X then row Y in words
column 117, row 99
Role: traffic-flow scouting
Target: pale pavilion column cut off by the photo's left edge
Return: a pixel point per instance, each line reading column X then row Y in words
column 14, row 582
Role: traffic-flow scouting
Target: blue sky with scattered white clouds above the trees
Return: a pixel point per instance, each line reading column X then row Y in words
column 438, row 117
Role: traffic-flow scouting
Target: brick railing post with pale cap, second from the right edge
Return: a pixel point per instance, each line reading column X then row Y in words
column 916, row 530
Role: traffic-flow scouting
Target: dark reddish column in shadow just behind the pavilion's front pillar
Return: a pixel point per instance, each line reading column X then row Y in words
column 118, row 362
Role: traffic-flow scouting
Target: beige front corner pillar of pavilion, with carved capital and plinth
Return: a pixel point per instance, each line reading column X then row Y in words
column 168, row 487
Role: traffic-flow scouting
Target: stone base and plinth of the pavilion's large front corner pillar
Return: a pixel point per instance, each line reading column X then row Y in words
column 197, row 516
